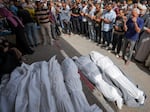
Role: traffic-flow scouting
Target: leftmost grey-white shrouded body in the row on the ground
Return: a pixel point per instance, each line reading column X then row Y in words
column 8, row 92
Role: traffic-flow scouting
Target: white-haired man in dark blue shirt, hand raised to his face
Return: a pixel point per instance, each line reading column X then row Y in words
column 132, row 27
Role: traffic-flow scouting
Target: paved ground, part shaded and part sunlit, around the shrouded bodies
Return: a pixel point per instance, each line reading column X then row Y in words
column 76, row 45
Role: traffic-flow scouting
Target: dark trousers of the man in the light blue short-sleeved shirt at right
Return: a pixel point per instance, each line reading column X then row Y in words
column 107, row 36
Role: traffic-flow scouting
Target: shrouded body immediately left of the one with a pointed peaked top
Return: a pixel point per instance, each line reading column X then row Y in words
column 48, row 102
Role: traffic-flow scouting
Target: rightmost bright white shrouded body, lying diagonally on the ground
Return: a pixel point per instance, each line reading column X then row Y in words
column 114, row 73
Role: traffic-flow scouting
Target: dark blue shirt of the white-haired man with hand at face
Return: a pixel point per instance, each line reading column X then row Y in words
column 131, row 33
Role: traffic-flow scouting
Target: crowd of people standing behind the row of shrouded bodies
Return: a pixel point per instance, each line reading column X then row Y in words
column 120, row 27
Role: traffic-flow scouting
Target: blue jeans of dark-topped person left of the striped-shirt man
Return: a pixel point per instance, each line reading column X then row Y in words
column 31, row 31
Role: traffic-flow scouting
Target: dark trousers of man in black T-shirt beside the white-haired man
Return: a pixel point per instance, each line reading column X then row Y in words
column 117, row 42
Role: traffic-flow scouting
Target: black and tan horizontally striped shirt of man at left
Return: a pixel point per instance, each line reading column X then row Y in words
column 42, row 15
